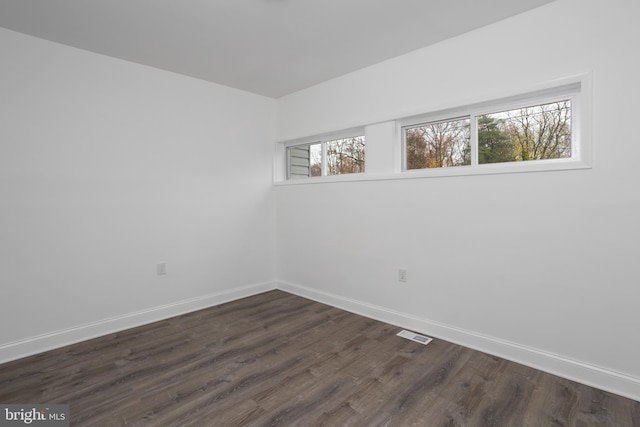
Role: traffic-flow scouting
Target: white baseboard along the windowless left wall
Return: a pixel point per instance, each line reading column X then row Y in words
column 37, row 344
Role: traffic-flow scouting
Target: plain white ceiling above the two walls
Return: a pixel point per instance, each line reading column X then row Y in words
column 269, row 47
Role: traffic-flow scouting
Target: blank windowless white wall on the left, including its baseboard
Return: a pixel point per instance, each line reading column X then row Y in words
column 107, row 168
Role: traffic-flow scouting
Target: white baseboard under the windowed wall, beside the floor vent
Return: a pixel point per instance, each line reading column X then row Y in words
column 594, row 376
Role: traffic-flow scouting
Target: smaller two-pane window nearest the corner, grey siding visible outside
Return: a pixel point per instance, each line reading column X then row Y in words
column 326, row 157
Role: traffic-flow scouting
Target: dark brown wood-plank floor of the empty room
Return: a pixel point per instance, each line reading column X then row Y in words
column 276, row 359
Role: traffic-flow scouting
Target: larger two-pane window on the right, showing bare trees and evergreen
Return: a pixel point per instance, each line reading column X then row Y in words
column 534, row 128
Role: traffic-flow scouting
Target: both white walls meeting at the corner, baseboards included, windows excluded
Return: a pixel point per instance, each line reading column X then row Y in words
column 108, row 167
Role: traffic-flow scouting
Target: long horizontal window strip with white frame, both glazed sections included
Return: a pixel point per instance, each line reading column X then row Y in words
column 544, row 128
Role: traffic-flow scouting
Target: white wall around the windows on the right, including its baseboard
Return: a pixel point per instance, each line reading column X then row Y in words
column 538, row 267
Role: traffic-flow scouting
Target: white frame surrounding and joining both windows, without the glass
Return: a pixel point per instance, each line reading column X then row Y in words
column 385, row 146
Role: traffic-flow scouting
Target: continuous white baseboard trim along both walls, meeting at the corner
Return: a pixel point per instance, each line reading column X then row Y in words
column 591, row 375
